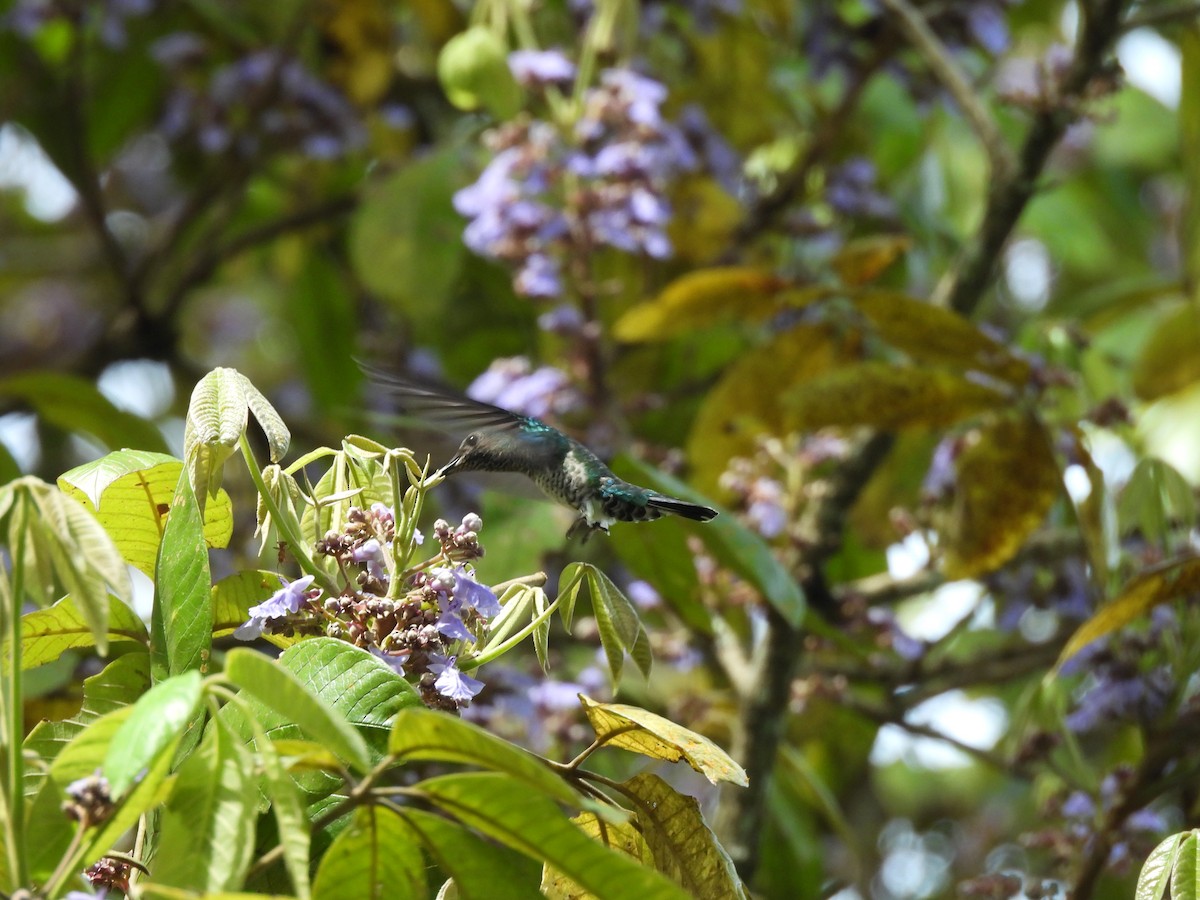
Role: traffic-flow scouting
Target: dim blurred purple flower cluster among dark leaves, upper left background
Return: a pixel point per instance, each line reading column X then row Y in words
column 261, row 103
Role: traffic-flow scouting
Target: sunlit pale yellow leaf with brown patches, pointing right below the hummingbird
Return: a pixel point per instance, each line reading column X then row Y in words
column 644, row 733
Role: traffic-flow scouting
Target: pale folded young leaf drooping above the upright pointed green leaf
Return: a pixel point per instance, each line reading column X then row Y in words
column 217, row 418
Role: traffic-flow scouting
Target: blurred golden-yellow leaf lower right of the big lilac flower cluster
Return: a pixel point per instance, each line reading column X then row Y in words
column 701, row 299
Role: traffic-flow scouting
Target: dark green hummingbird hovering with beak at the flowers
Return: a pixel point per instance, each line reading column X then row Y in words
column 502, row 441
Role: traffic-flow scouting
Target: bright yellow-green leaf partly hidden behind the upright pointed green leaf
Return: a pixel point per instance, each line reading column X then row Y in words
column 130, row 493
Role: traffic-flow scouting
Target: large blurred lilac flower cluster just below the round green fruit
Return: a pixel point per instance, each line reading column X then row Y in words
column 550, row 194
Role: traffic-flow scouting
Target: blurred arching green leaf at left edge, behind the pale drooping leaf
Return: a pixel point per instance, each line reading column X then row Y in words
column 76, row 405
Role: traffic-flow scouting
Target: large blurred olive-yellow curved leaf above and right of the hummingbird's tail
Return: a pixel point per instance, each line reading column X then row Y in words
column 747, row 403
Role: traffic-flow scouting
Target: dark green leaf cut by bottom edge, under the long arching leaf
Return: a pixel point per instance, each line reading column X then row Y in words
column 481, row 869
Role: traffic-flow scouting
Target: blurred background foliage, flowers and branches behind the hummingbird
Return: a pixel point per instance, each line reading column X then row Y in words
column 909, row 287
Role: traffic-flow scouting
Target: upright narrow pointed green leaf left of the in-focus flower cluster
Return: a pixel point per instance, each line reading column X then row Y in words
column 182, row 621
